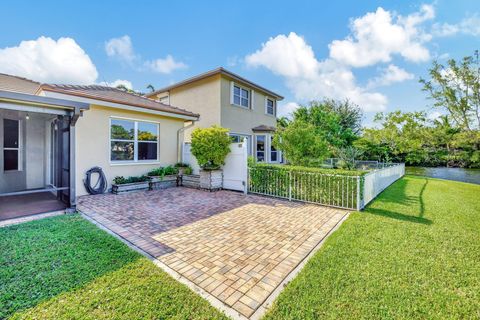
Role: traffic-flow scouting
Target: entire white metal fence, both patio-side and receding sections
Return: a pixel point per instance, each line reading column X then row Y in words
column 343, row 191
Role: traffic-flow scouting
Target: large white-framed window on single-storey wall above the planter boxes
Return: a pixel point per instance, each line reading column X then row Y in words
column 133, row 141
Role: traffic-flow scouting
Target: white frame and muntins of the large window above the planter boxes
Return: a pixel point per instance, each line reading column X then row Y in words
column 135, row 143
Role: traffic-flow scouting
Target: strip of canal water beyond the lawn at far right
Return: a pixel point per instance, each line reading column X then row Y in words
column 457, row 174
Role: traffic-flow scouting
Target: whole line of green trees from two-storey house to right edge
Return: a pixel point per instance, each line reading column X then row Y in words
column 332, row 128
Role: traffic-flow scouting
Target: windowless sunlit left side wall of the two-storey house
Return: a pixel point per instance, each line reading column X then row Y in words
column 202, row 97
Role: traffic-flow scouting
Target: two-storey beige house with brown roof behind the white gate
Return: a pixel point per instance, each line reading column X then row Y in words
column 223, row 98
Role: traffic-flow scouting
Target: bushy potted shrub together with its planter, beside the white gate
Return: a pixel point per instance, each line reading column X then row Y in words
column 210, row 146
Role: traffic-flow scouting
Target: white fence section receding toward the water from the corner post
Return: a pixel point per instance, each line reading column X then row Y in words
column 378, row 180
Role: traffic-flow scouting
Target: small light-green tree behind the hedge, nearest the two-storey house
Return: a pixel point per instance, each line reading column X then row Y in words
column 301, row 145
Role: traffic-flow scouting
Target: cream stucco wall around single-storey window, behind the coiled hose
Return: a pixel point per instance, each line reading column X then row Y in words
column 93, row 149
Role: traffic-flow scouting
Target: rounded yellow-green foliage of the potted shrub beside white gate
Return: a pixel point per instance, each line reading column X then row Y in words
column 210, row 146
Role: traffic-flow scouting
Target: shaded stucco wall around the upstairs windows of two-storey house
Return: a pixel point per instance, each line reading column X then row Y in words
column 242, row 120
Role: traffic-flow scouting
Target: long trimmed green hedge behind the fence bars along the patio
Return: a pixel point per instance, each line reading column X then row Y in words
column 324, row 186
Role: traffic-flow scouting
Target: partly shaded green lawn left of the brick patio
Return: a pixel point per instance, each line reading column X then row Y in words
column 66, row 268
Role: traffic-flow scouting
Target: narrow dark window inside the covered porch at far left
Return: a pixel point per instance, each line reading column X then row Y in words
column 11, row 145
